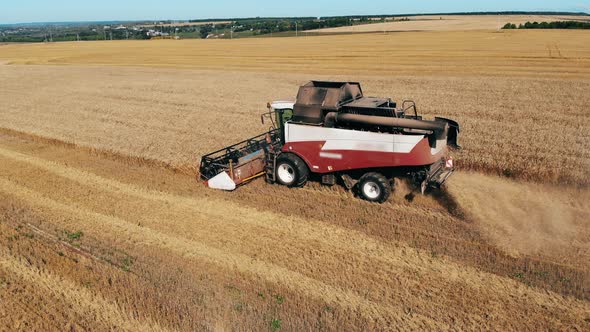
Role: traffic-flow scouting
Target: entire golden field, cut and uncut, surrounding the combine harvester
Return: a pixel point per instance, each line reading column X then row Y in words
column 104, row 227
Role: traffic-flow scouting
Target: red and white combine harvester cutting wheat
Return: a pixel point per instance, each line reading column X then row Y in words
column 336, row 133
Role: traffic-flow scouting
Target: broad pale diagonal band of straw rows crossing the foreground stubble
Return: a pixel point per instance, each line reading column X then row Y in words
column 344, row 268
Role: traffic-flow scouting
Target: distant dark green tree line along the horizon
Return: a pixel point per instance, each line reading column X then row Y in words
column 223, row 28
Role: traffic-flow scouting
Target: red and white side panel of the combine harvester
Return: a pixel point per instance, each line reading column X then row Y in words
column 328, row 150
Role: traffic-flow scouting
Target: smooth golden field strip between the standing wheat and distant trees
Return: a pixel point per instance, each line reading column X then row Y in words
column 541, row 54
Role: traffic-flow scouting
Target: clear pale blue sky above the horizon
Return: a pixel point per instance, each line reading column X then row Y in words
column 19, row 11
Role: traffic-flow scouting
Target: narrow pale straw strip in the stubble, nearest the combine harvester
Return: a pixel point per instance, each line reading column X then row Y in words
column 334, row 237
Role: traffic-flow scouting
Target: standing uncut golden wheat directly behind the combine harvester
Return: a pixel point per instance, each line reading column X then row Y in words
column 526, row 128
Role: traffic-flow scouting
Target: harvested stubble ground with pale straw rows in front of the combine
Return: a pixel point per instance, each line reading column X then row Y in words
column 229, row 261
